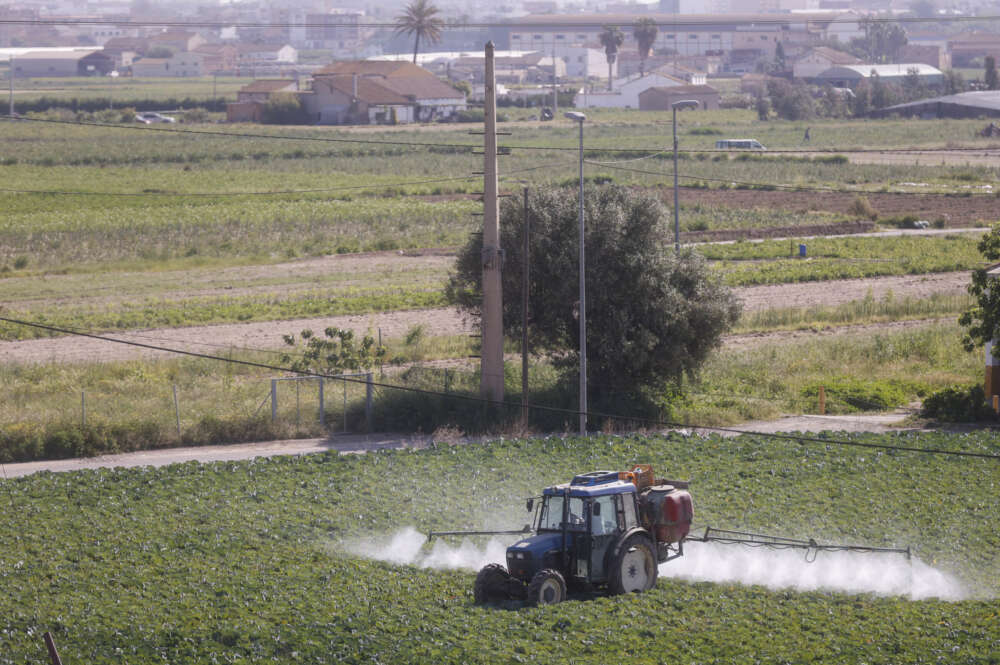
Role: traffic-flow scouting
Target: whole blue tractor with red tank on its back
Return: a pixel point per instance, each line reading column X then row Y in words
column 603, row 529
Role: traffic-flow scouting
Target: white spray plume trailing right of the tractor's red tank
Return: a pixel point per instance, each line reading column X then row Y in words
column 881, row 574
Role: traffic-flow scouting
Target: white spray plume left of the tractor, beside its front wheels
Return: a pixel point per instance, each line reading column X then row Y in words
column 407, row 547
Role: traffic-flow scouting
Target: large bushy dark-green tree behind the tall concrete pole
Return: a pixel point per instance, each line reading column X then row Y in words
column 652, row 315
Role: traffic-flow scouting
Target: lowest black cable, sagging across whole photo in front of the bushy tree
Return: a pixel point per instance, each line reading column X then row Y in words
column 472, row 398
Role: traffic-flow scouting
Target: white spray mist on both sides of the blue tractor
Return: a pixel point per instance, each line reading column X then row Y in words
column 881, row 574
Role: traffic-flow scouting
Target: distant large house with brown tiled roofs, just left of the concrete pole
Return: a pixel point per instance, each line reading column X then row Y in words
column 375, row 92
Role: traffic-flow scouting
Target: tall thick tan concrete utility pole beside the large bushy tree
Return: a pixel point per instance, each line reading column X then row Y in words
column 491, row 381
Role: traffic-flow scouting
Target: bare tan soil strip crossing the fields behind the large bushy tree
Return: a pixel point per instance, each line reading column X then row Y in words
column 218, row 339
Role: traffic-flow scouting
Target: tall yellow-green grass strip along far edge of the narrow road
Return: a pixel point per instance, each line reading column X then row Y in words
column 134, row 399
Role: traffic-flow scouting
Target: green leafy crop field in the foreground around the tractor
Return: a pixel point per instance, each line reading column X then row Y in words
column 251, row 561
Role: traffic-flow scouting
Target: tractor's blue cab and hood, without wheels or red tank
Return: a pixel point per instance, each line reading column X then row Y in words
column 576, row 524
